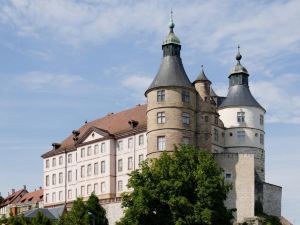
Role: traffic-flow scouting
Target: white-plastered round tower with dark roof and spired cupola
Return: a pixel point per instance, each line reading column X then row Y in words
column 243, row 118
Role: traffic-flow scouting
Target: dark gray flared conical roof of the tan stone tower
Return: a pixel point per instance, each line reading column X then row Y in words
column 171, row 73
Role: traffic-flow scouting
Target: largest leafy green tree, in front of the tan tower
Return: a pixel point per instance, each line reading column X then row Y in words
column 183, row 188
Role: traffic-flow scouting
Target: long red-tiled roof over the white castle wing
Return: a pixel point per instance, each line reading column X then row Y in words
column 113, row 123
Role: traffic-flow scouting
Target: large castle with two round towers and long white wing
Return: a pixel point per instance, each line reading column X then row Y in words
column 99, row 155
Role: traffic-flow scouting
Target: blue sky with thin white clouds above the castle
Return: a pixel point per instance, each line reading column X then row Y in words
column 63, row 62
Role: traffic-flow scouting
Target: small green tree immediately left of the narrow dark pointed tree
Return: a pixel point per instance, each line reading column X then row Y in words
column 78, row 214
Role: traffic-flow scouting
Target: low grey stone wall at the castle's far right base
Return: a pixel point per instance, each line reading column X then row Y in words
column 272, row 199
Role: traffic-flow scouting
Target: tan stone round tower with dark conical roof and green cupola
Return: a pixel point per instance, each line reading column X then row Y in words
column 171, row 101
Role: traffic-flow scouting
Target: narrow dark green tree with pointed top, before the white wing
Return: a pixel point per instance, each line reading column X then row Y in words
column 97, row 211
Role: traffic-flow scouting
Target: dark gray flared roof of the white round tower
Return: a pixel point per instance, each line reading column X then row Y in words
column 240, row 95
